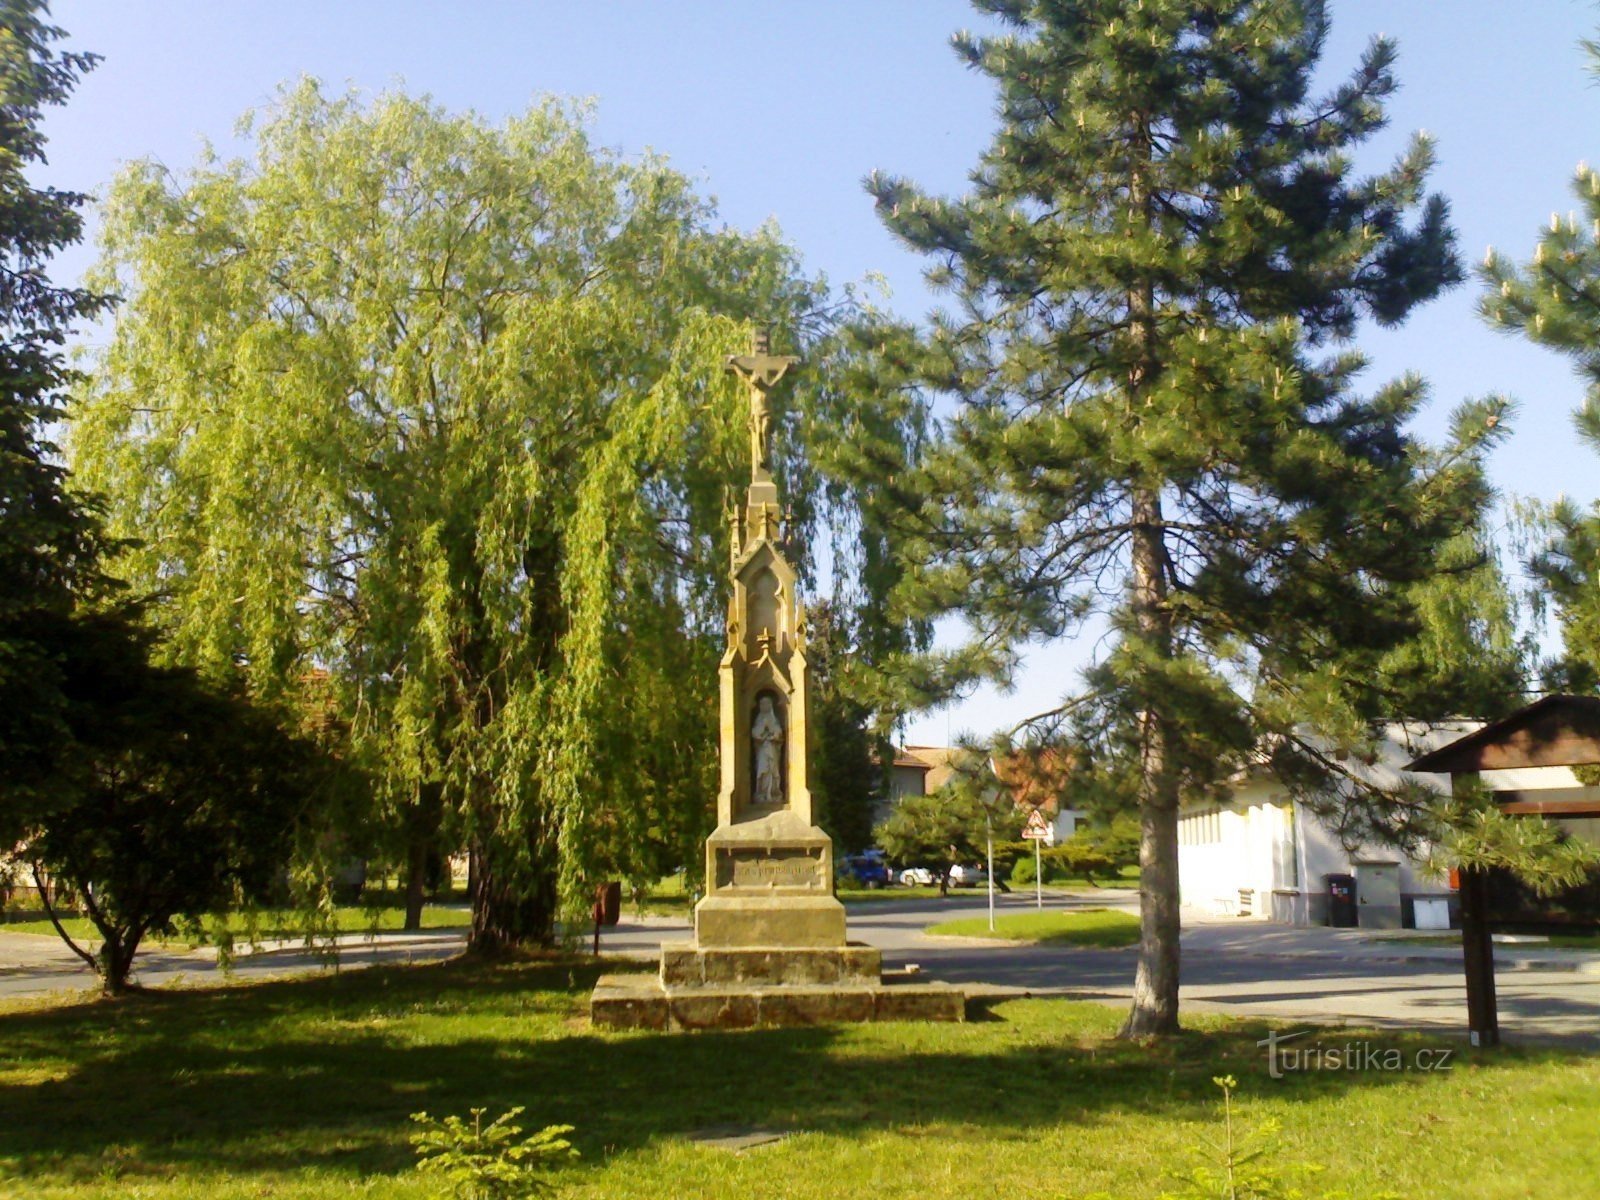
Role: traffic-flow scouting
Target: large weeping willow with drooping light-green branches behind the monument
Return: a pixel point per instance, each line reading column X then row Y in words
column 428, row 417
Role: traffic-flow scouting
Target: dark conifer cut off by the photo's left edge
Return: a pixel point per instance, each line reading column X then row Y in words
column 50, row 542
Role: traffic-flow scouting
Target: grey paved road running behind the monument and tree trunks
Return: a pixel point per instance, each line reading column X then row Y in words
column 1239, row 967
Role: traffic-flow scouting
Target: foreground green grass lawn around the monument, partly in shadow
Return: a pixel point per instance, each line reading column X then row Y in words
column 298, row 1090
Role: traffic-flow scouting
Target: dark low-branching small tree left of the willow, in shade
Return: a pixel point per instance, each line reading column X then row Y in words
column 186, row 801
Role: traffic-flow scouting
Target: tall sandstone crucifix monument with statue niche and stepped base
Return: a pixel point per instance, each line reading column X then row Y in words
column 769, row 940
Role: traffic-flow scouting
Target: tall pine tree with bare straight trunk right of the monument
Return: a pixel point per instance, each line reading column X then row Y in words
column 1154, row 281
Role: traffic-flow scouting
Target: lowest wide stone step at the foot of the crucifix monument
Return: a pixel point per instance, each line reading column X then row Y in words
column 642, row 1002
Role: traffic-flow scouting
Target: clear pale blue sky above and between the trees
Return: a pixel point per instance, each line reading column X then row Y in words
column 780, row 110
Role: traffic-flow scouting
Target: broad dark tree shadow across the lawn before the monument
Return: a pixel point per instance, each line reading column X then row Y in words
column 326, row 1073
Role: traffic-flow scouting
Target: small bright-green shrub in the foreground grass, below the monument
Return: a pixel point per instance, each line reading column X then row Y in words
column 489, row 1162
